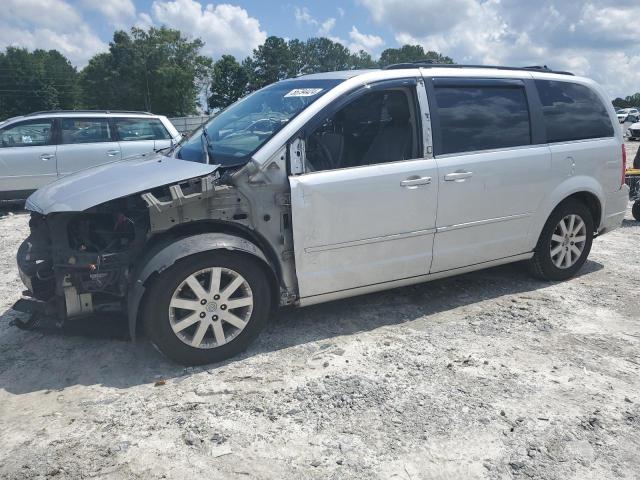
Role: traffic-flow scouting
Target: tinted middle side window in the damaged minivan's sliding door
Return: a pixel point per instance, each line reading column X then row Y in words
column 482, row 118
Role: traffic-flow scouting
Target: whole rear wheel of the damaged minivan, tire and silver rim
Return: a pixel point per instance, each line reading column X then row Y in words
column 565, row 242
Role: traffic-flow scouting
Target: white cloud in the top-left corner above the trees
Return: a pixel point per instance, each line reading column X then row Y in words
column 48, row 24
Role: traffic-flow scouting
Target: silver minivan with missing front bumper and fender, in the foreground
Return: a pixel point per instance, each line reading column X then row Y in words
column 328, row 186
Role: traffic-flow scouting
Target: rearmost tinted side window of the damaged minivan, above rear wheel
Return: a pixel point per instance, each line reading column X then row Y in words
column 572, row 112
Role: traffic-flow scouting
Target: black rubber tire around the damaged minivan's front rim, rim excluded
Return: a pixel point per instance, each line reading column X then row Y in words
column 155, row 314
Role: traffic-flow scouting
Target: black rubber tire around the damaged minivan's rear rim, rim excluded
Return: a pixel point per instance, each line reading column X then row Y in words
column 542, row 265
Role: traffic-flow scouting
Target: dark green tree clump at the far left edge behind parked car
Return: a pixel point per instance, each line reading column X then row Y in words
column 38, row 80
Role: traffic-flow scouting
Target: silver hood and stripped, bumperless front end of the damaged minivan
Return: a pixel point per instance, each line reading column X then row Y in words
column 88, row 231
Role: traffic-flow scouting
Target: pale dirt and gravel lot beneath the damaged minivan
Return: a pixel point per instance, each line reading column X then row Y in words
column 490, row 375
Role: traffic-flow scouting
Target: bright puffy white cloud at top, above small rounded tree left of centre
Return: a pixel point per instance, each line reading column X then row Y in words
column 224, row 28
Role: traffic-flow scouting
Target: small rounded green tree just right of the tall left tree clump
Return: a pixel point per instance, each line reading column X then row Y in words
column 229, row 82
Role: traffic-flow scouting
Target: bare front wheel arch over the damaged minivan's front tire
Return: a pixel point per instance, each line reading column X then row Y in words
column 165, row 253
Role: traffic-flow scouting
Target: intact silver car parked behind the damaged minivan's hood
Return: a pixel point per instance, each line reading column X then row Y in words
column 39, row 148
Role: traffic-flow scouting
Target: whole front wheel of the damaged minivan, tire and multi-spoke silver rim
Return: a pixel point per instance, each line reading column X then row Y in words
column 207, row 307
